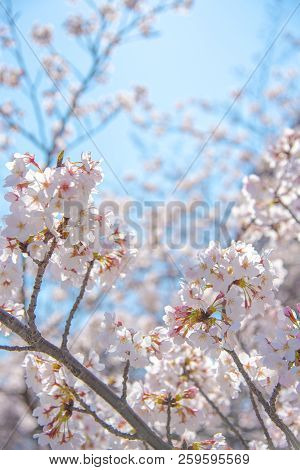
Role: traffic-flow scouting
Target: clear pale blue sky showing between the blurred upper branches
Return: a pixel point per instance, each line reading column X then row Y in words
column 204, row 54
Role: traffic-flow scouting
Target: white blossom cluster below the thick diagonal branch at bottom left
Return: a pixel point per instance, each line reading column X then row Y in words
column 63, row 426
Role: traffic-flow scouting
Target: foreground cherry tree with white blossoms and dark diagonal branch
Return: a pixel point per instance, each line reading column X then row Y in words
column 198, row 359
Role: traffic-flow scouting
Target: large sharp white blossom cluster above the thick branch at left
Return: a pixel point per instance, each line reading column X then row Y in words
column 52, row 211
